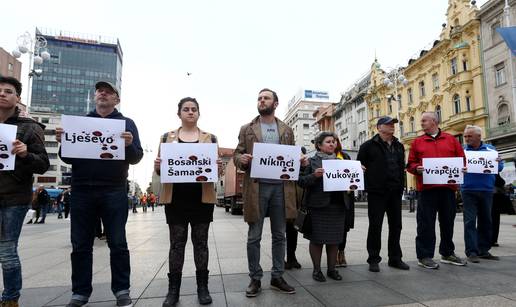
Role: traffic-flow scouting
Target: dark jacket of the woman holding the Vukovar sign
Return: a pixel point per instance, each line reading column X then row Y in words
column 314, row 195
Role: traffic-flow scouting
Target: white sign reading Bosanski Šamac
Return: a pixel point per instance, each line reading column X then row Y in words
column 181, row 162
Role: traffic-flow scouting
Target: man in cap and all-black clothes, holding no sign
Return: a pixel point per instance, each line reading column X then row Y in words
column 383, row 158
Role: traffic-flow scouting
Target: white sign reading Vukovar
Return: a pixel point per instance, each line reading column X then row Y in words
column 342, row 175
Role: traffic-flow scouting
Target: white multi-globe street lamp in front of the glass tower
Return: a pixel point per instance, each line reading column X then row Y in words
column 36, row 49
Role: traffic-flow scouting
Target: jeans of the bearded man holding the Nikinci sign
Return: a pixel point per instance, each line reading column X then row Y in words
column 272, row 204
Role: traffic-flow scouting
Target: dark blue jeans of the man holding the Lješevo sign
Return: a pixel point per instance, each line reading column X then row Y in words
column 110, row 204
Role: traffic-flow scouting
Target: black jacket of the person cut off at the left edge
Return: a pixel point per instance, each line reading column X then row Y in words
column 16, row 186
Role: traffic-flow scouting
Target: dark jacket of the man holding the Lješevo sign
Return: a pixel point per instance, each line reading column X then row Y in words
column 89, row 172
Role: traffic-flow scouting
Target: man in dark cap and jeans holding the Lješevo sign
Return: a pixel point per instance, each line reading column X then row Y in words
column 100, row 189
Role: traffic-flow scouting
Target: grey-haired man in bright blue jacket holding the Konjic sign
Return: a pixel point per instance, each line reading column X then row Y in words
column 477, row 194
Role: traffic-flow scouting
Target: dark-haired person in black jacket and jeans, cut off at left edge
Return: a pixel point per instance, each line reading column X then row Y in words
column 16, row 185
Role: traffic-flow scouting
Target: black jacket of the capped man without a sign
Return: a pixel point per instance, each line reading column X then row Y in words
column 373, row 155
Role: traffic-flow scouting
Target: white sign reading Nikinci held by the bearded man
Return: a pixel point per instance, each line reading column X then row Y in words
column 273, row 161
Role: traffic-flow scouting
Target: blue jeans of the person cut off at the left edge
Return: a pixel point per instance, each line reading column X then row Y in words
column 11, row 221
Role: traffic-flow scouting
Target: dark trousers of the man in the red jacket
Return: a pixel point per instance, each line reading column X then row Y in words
column 431, row 202
